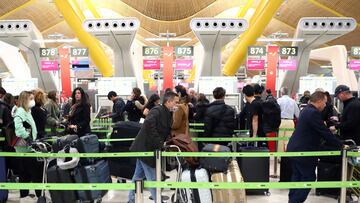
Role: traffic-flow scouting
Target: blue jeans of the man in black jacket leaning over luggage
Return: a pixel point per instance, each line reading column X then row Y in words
column 143, row 171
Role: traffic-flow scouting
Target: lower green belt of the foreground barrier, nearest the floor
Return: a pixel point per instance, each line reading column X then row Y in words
column 155, row 184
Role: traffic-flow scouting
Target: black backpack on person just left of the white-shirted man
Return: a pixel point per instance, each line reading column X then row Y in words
column 271, row 115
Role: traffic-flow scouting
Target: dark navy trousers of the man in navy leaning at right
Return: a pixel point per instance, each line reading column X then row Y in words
column 301, row 172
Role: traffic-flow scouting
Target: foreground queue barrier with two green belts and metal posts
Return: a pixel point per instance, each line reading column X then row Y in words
column 158, row 184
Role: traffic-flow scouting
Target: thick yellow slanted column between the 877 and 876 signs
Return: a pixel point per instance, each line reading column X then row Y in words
column 97, row 53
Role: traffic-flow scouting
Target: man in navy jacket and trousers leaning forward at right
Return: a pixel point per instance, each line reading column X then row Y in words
column 309, row 134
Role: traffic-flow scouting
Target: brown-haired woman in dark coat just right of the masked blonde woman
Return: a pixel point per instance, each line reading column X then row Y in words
column 41, row 115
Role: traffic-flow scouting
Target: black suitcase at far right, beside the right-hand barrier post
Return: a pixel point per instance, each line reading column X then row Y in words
column 328, row 172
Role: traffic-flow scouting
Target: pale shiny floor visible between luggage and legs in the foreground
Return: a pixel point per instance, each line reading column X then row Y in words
column 277, row 196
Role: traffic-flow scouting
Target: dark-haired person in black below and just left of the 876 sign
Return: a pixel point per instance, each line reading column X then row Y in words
column 135, row 105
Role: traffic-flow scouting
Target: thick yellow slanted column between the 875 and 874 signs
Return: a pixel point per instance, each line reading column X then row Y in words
column 249, row 37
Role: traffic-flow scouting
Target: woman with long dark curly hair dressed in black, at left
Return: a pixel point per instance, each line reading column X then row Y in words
column 79, row 115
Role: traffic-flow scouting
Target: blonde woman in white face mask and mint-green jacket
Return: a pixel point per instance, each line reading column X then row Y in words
column 25, row 130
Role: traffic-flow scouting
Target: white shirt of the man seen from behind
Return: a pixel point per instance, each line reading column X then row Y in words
column 288, row 107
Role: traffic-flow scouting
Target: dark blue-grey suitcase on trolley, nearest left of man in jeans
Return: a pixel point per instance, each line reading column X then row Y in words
column 96, row 173
